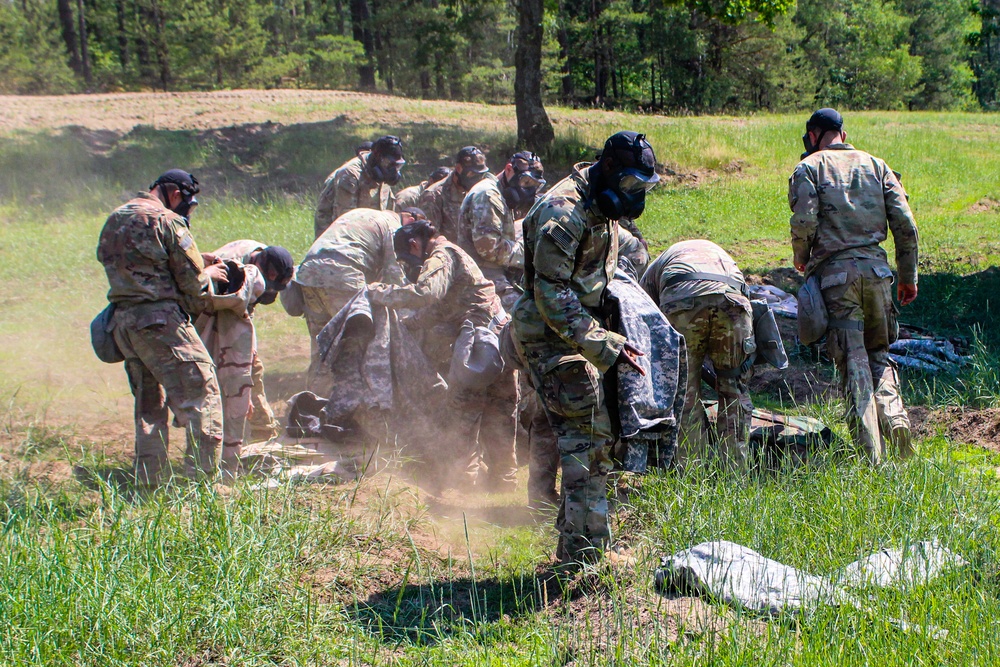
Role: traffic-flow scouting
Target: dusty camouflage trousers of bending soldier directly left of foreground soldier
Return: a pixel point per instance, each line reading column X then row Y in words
column 483, row 425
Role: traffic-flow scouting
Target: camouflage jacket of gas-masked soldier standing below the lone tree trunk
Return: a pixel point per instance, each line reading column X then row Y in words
column 487, row 229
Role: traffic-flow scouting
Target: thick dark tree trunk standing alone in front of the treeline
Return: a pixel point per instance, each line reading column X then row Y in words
column 534, row 130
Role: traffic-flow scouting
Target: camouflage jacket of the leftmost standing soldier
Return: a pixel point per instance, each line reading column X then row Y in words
column 149, row 255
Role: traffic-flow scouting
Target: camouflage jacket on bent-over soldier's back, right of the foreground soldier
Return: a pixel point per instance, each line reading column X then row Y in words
column 697, row 256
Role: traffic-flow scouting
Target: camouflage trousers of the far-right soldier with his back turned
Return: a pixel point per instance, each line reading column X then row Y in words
column 857, row 290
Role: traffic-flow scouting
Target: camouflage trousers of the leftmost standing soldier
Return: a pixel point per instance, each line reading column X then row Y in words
column 168, row 366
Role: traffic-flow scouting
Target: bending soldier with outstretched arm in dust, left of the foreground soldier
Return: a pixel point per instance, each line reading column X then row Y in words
column 447, row 290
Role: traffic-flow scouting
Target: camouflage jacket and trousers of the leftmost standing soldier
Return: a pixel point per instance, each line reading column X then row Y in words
column 156, row 276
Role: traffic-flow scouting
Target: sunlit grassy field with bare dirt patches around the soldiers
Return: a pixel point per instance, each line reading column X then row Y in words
column 382, row 573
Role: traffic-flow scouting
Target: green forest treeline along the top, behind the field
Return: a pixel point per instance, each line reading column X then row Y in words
column 689, row 56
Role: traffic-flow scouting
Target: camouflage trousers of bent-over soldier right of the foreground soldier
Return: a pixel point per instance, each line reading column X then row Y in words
column 718, row 327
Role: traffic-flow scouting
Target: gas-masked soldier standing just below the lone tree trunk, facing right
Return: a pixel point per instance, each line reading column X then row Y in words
column 489, row 221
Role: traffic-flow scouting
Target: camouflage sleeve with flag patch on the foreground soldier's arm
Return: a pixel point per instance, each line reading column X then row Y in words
column 556, row 244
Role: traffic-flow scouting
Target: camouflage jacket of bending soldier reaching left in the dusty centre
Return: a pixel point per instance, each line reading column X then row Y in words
column 449, row 290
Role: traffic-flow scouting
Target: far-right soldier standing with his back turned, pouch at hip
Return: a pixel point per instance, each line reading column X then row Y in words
column 844, row 202
